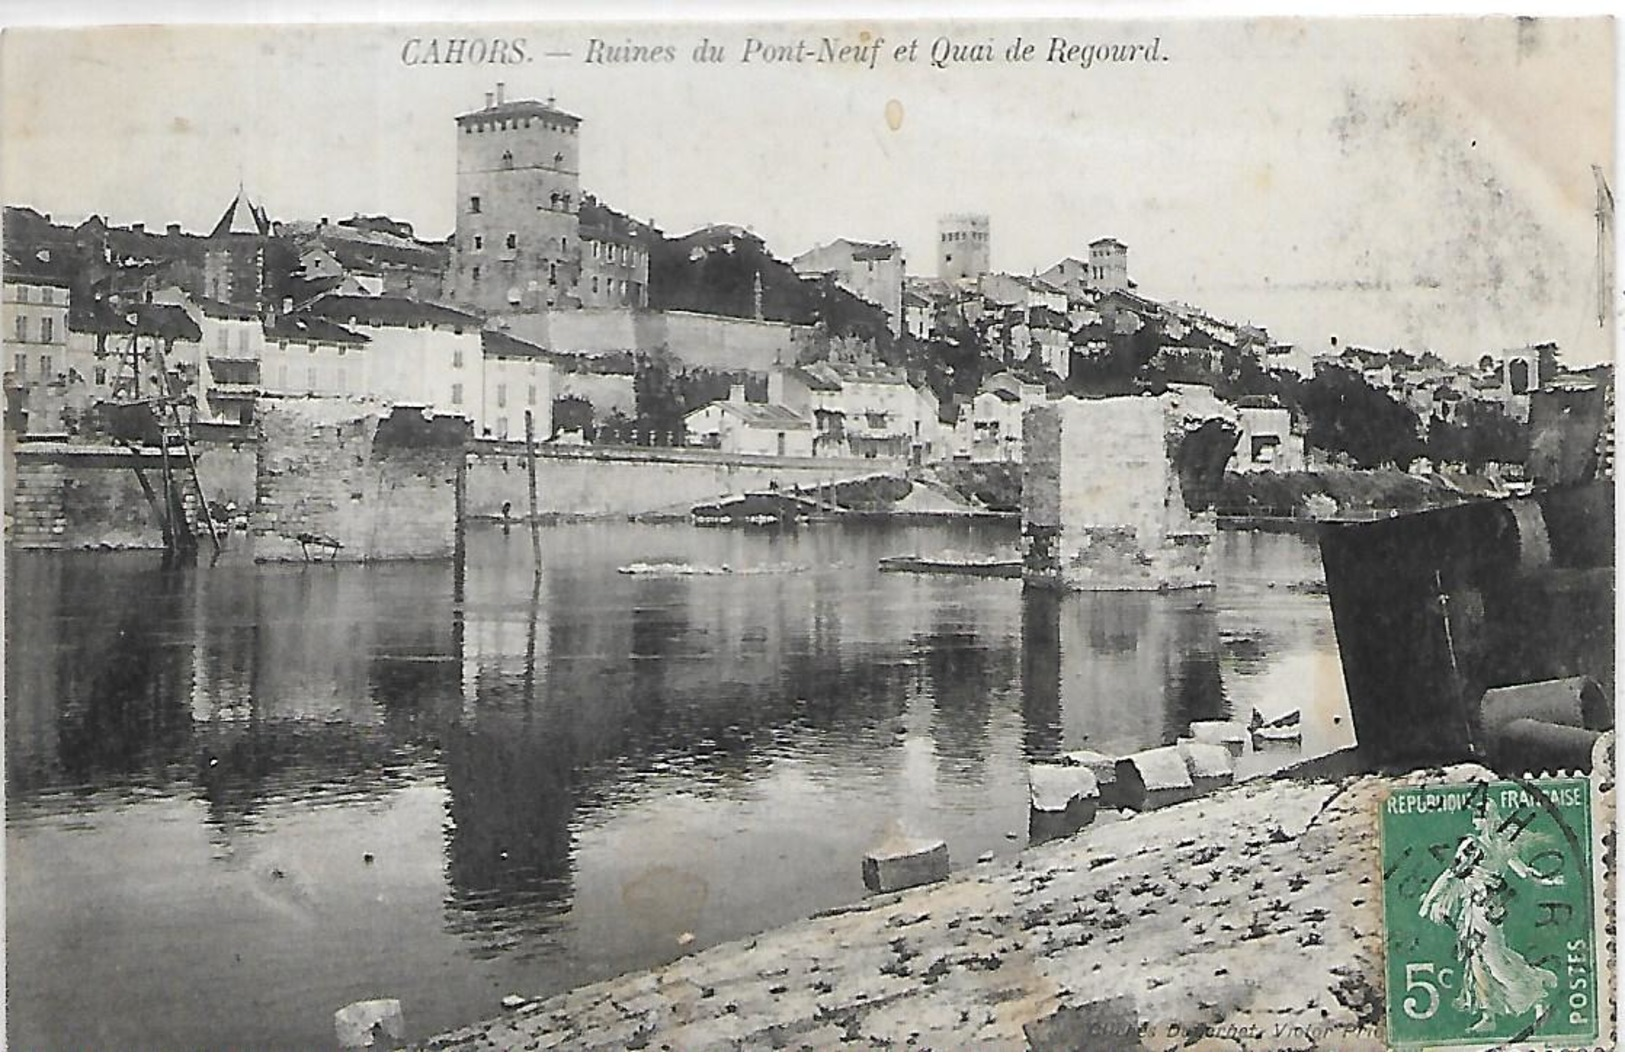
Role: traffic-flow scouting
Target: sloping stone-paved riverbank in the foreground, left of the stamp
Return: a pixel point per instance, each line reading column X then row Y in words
column 1249, row 919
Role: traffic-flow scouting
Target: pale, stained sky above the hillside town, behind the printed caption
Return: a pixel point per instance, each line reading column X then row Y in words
column 1395, row 183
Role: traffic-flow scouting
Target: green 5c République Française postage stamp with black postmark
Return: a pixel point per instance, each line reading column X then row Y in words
column 1491, row 915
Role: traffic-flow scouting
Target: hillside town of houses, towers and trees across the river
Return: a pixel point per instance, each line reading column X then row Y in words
column 605, row 331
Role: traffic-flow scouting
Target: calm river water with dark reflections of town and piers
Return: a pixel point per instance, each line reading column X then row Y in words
column 240, row 798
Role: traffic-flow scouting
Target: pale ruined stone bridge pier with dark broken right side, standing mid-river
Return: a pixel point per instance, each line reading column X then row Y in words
column 1117, row 493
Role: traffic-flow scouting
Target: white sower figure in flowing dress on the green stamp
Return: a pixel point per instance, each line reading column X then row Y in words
column 1471, row 896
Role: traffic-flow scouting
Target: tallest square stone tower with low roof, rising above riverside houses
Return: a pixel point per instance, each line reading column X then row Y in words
column 519, row 191
